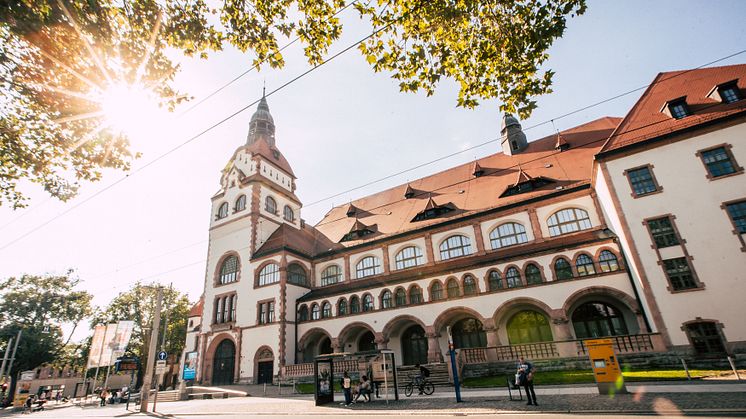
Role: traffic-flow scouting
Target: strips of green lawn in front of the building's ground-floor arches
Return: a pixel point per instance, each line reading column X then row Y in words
column 585, row 376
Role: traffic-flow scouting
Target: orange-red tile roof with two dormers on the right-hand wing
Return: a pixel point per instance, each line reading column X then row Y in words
column 645, row 121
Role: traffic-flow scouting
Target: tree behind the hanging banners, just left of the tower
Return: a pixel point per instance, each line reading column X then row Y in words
column 138, row 304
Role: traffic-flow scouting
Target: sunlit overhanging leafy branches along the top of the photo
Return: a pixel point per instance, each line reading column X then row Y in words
column 57, row 56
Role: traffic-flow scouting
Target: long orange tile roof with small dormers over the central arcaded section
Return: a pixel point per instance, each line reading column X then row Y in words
column 393, row 213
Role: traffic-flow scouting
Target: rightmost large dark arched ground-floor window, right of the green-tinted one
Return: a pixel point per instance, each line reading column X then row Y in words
column 596, row 319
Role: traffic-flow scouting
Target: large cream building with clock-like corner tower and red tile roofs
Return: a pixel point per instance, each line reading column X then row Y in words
column 529, row 250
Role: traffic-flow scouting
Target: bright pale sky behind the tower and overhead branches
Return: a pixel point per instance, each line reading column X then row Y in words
column 340, row 127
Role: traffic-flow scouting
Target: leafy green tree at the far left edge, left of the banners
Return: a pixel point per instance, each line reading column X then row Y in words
column 38, row 305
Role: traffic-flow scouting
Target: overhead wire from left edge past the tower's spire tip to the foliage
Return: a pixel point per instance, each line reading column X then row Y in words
column 201, row 133
